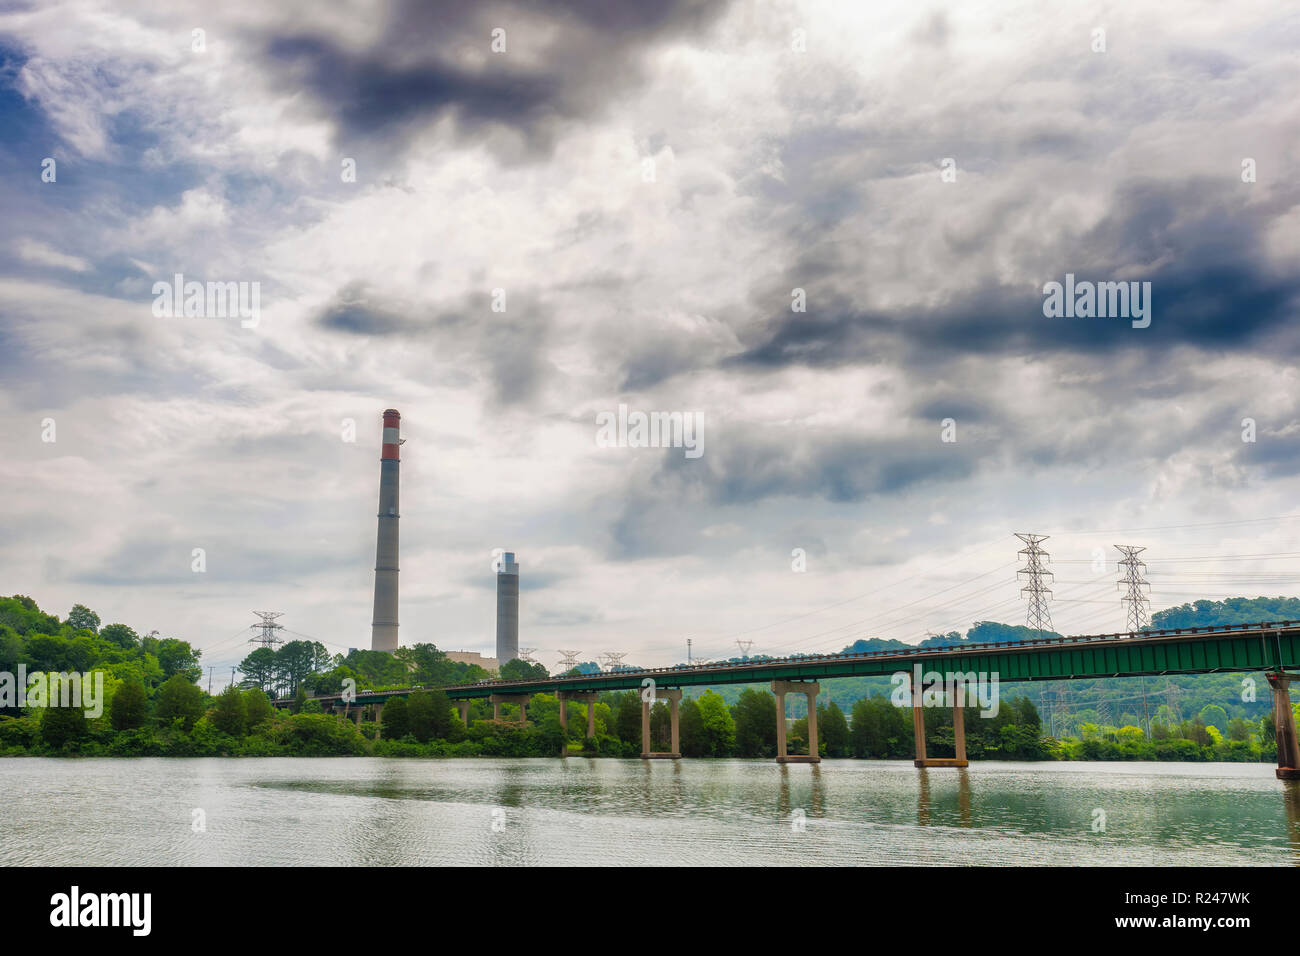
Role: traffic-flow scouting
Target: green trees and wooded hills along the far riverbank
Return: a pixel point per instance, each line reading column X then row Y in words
column 155, row 707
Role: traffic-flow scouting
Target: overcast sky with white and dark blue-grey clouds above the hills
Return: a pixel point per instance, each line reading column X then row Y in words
column 648, row 184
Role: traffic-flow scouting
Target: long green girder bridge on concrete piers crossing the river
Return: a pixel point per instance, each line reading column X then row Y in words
column 1271, row 647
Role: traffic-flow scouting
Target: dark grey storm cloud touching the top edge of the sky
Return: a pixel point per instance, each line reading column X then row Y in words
column 415, row 73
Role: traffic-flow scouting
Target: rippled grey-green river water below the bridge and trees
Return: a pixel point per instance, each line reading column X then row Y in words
column 340, row 812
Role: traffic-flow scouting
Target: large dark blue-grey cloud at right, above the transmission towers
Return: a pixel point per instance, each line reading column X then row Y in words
column 1215, row 293
